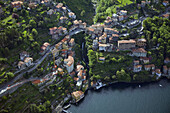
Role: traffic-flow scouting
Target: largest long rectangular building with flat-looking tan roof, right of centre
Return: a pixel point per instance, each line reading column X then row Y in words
column 126, row 44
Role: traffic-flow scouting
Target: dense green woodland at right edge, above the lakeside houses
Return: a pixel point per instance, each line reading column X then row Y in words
column 157, row 33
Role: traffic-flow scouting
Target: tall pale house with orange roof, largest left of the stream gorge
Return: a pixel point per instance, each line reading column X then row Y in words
column 69, row 63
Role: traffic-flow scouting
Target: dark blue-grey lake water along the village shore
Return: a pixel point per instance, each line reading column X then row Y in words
column 127, row 98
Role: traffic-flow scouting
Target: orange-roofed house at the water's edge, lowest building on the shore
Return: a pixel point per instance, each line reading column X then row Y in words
column 77, row 96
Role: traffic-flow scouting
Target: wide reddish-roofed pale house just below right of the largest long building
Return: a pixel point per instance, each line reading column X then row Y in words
column 140, row 52
